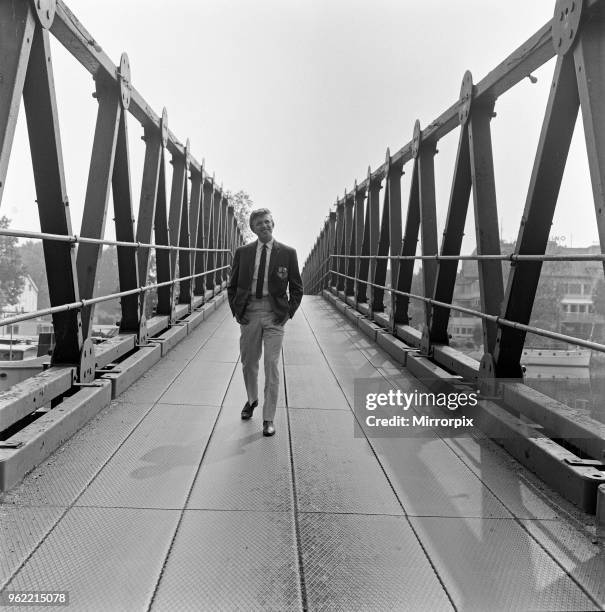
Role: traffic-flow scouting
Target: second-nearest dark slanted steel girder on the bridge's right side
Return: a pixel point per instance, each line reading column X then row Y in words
column 452, row 240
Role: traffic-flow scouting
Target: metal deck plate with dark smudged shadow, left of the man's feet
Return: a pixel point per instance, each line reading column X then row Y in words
column 155, row 466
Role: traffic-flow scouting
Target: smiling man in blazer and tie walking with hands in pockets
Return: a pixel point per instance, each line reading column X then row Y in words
column 261, row 274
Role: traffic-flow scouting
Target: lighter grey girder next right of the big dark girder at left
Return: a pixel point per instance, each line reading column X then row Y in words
column 97, row 194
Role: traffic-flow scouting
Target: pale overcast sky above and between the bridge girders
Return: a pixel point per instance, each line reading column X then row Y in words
column 292, row 100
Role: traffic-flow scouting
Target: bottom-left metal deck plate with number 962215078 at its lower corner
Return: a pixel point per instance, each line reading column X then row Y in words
column 107, row 558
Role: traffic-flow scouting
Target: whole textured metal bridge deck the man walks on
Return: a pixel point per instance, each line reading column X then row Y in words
column 168, row 501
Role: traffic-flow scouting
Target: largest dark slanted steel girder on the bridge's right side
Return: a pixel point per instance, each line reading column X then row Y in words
column 545, row 182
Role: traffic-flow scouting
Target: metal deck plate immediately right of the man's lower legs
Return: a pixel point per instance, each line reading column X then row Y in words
column 314, row 386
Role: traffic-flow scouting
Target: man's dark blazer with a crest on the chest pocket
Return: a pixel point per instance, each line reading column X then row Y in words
column 284, row 277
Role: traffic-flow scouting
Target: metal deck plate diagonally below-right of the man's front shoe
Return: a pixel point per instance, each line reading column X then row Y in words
column 334, row 471
